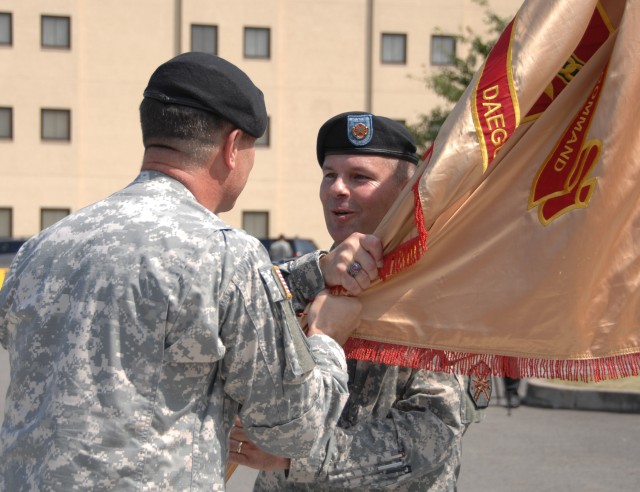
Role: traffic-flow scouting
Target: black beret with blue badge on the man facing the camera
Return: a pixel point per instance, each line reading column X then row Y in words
column 356, row 132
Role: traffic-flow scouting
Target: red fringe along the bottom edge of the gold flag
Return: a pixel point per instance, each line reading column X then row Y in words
column 614, row 367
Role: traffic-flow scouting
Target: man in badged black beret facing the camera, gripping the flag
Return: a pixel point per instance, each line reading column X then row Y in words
column 402, row 427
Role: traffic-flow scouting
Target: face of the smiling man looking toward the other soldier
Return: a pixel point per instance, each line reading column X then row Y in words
column 356, row 192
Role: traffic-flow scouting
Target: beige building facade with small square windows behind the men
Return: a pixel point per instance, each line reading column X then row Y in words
column 73, row 72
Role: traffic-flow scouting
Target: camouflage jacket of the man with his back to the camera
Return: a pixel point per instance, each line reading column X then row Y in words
column 136, row 328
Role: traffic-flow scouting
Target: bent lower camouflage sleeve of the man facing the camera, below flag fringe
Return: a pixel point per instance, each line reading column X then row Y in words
column 420, row 436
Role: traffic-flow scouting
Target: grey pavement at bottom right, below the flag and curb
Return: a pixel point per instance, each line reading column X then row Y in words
column 541, row 449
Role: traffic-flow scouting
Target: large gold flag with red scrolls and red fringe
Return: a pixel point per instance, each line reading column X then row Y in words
column 515, row 250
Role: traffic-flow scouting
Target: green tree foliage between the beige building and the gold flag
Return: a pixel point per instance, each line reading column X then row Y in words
column 450, row 82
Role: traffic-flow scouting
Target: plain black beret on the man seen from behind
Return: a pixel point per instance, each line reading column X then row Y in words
column 209, row 83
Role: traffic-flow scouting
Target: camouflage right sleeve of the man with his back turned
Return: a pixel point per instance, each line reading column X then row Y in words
column 291, row 389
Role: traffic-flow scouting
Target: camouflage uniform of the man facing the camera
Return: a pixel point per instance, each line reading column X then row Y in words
column 401, row 429
